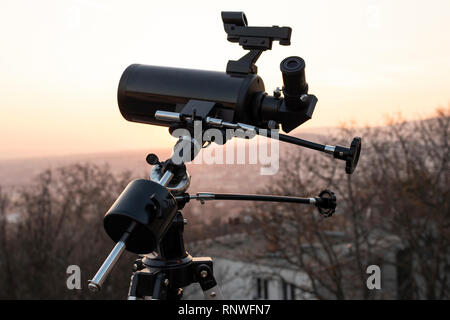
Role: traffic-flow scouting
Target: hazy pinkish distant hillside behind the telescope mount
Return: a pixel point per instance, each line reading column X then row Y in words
column 221, row 178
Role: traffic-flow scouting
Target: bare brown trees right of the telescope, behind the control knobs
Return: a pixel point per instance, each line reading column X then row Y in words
column 397, row 199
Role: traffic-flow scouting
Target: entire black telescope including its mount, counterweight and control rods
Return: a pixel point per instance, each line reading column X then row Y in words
column 146, row 218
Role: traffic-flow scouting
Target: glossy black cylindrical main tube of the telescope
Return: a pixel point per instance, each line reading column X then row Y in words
column 144, row 89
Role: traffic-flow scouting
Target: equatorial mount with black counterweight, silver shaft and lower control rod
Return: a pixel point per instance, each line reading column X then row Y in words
column 146, row 218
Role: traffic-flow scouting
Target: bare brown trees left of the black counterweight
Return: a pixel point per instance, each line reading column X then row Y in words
column 60, row 224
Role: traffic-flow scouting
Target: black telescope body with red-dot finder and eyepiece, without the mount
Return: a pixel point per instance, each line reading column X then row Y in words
column 237, row 95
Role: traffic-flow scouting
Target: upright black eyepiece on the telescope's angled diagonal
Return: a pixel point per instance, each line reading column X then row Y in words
column 294, row 80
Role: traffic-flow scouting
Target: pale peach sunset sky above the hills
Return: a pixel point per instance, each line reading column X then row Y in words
column 61, row 62
